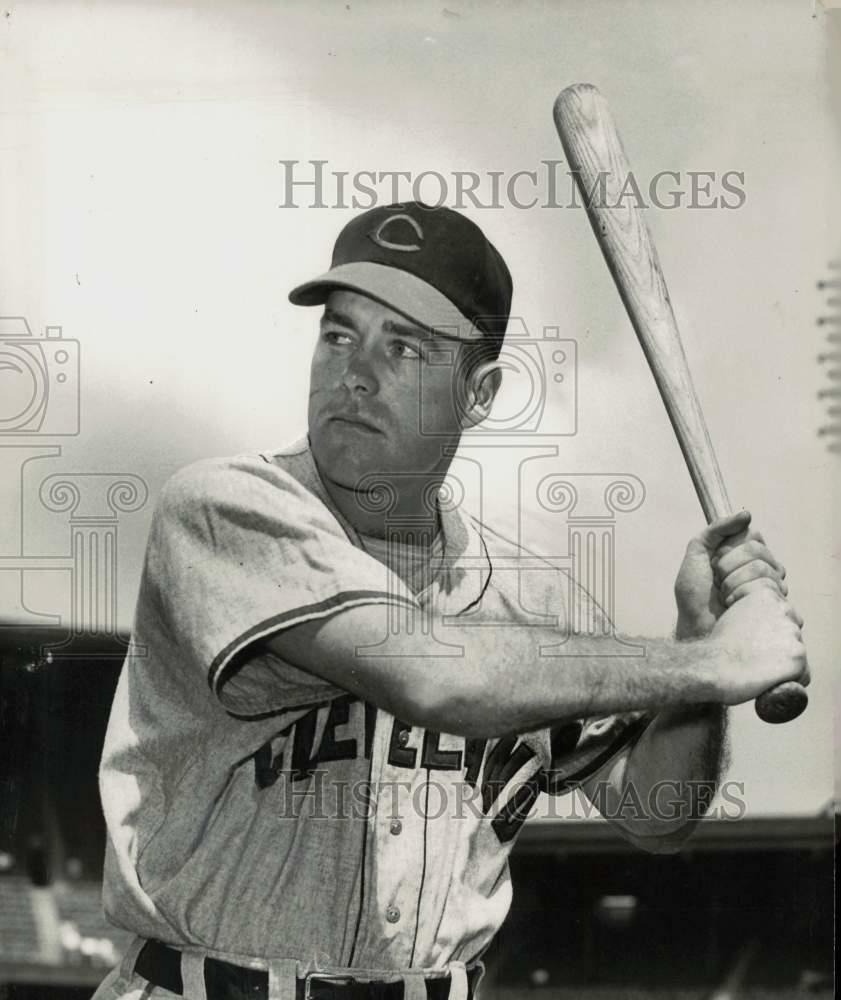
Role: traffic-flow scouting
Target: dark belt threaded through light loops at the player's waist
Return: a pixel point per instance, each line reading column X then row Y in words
column 161, row 965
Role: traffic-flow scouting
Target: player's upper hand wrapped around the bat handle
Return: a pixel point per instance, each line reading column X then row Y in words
column 724, row 562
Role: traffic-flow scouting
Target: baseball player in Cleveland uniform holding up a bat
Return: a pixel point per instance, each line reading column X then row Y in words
column 336, row 715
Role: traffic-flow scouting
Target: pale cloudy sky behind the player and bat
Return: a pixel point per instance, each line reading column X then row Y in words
column 142, row 210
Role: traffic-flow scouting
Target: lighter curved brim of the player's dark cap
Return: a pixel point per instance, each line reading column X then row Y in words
column 402, row 291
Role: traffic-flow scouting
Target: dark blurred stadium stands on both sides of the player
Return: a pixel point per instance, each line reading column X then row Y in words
column 745, row 911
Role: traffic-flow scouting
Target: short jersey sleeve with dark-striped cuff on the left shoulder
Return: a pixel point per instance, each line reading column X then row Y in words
column 238, row 550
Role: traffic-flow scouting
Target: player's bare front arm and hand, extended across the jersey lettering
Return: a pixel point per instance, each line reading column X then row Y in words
column 500, row 683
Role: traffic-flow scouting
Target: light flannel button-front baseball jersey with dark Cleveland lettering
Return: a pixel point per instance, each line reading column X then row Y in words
column 257, row 810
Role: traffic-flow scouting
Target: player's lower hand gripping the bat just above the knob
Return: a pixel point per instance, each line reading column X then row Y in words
column 757, row 645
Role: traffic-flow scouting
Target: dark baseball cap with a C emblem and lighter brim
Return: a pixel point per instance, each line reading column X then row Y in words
column 431, row 264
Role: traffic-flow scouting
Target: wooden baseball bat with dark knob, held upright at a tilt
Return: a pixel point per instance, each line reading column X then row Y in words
column 600, row 167
